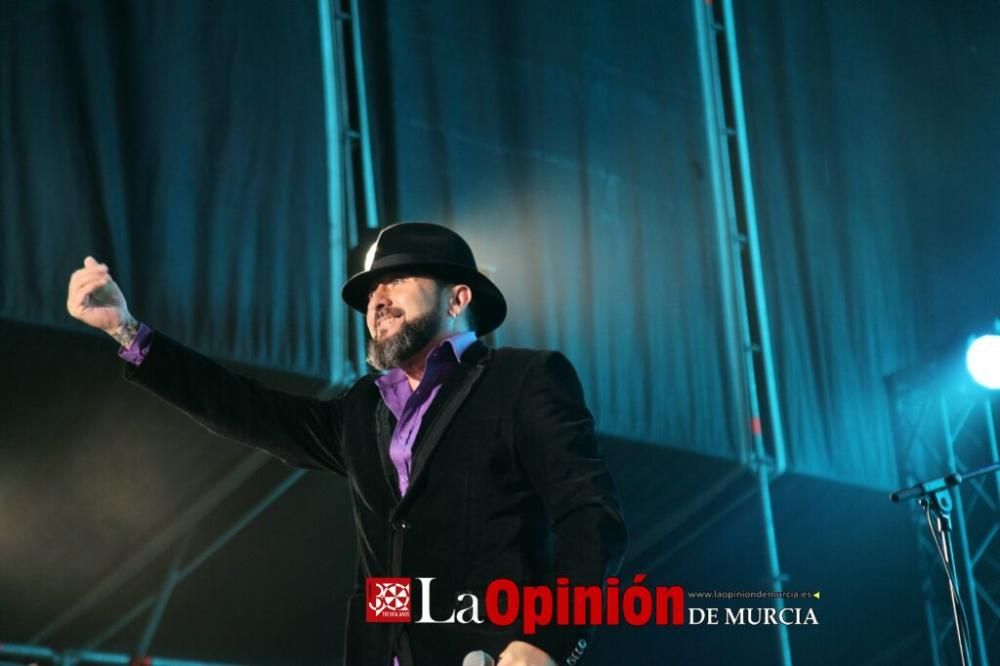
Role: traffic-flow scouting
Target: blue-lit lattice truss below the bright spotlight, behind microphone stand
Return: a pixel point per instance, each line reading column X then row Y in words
column 945, row 423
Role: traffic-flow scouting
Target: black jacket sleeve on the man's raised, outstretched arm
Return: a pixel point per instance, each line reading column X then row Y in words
column 302, row 432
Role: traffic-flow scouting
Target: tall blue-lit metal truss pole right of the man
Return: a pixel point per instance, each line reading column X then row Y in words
column 746, row 323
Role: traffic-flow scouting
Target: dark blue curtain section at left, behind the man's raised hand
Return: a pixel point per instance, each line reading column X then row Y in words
column 182, row 143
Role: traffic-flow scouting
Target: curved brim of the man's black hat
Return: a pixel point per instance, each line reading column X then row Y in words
column 488, row 302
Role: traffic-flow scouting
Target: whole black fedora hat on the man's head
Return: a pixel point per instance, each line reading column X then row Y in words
column 433, row 250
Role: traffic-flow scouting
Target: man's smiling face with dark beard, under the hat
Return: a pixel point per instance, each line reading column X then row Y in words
column 405, row 313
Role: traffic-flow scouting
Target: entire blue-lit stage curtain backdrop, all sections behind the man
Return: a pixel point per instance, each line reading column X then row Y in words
column 184, row 144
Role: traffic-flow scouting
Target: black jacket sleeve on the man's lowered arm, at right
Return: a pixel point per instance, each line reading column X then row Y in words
column 556, row 441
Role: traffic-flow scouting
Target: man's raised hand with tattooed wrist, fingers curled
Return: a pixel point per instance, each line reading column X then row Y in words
column 96, row 300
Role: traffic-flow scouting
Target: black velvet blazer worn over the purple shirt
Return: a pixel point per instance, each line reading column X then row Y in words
column 507, row 482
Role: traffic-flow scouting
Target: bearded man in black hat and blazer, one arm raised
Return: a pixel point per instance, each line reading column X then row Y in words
column 465, row 464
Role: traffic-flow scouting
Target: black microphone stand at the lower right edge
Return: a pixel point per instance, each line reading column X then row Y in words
column 935, row 498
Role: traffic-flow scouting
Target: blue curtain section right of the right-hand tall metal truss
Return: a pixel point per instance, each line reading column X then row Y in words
column 875, row 141
